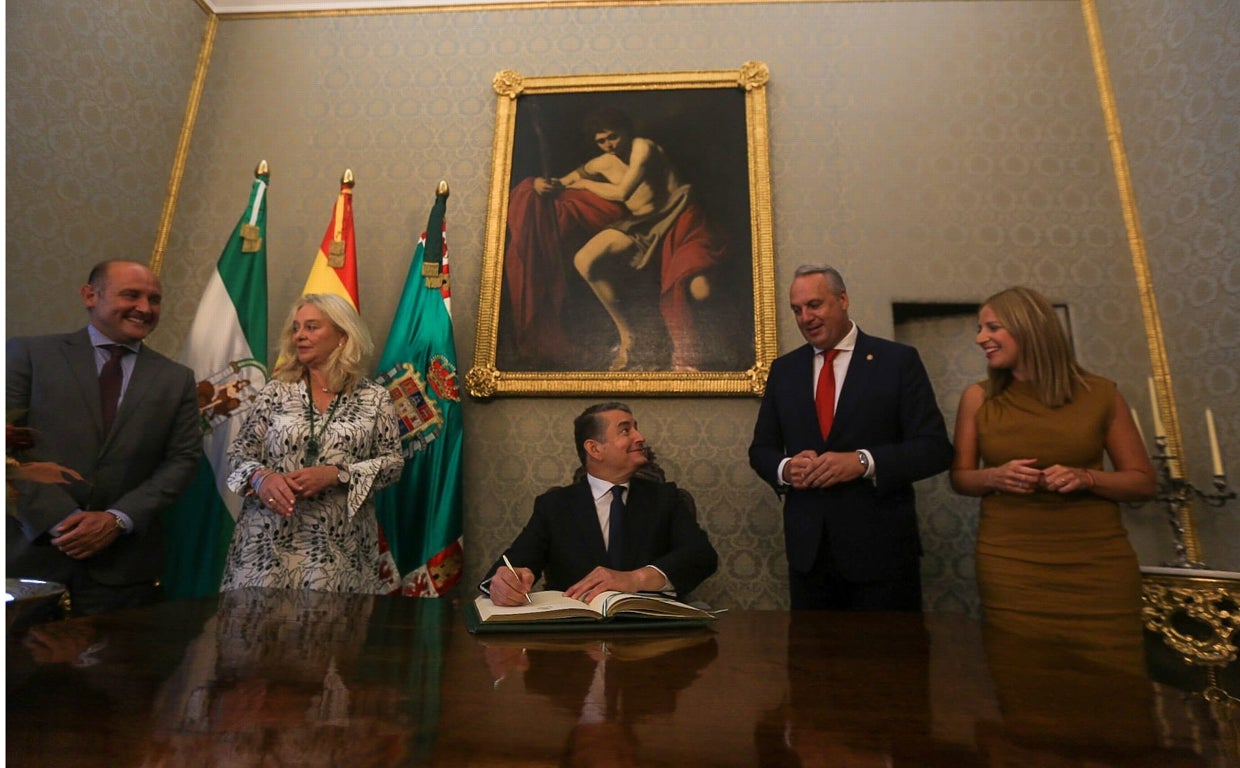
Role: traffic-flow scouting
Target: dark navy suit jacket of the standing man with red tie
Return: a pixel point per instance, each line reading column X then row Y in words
column 887, row 406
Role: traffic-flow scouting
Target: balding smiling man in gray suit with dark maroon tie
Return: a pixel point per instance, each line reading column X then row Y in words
column 102, row 537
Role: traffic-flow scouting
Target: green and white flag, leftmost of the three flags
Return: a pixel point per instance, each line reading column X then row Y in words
column 228, row 351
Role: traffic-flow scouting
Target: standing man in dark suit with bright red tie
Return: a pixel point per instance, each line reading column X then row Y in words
column 844, row 446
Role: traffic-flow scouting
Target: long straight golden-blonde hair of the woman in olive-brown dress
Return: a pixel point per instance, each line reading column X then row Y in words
column 1042, row 344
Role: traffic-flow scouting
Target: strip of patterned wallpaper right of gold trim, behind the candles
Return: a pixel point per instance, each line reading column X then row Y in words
column 1177, row 80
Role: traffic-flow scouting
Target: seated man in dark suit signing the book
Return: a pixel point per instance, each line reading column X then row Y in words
column 612, row 529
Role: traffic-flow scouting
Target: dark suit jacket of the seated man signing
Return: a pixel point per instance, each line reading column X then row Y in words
column 564, row 540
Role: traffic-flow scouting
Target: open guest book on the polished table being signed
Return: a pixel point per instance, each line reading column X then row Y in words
column 550, row 611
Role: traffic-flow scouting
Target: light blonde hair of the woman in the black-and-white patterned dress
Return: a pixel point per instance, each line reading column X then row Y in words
column 345, row 367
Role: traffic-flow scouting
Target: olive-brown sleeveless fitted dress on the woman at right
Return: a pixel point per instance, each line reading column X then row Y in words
column 1053, row 565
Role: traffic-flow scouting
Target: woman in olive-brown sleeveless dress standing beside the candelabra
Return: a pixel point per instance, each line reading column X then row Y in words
column 1052, row 550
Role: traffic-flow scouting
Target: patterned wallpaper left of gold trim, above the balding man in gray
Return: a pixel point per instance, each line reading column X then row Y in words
column 95, row 99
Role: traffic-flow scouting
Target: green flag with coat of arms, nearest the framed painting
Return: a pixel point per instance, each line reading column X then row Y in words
column 421, row 514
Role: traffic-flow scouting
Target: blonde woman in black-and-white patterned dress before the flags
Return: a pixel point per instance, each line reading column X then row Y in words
column 314, row 450
